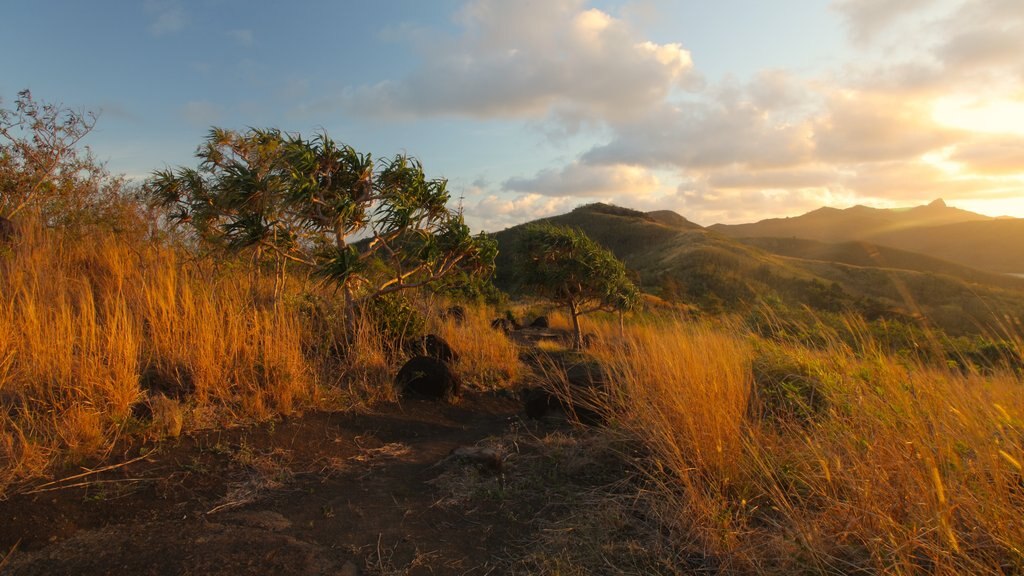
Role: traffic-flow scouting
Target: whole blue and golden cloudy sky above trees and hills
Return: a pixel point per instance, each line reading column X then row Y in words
column 731, row 111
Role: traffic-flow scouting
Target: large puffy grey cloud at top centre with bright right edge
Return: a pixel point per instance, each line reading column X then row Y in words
column 520, row 60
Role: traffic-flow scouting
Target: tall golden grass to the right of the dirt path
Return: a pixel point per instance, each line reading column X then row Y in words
column 777, row 459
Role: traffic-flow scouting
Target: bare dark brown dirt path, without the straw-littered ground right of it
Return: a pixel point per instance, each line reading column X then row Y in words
column 324, row 493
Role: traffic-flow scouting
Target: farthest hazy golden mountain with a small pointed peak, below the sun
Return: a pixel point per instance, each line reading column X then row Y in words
column 935, row 230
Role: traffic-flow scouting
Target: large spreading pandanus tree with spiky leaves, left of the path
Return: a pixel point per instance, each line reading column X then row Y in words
column 372, row 228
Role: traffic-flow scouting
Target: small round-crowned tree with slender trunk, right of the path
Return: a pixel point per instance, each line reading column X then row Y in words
column 567, row 267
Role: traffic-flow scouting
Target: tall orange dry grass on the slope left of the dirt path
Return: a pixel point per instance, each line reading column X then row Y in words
column 94, row 331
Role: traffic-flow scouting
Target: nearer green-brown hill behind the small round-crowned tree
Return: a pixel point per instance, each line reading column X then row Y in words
column 675, row 258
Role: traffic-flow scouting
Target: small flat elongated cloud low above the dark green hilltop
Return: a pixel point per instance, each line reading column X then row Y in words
column 587, row 181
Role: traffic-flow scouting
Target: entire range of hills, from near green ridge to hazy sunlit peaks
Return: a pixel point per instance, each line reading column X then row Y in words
column 715, row 269
